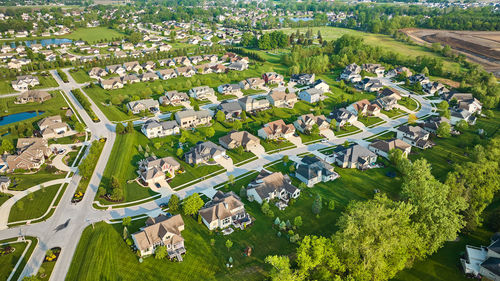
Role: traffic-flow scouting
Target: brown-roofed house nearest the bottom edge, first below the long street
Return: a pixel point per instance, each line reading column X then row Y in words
column 161, row 231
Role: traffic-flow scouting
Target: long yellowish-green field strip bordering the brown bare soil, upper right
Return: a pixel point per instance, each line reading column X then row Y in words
column 384, row 41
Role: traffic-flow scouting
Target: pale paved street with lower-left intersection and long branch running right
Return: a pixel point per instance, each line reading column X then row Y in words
column 69, row 220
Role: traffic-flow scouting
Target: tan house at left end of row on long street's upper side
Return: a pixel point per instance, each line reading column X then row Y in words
column 153, row 170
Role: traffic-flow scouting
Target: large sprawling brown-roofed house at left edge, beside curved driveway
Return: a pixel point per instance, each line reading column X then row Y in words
column 31, row 154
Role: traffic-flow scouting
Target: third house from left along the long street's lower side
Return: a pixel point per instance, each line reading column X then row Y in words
column 268, row 186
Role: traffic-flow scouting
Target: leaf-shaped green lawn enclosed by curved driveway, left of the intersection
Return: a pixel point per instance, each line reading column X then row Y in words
column 27, row 208
